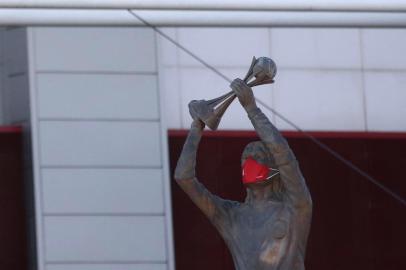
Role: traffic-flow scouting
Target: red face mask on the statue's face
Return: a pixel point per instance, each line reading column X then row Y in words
column 253, row 172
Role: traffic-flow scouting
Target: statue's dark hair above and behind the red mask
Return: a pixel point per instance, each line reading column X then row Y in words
column 259, row 151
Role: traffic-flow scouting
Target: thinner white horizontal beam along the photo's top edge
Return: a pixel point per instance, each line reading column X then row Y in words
column 263, row 5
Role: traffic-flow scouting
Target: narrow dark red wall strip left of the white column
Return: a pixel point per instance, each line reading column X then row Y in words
column 13, row 237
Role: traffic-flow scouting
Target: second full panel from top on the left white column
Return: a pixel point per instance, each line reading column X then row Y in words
column 106, row 96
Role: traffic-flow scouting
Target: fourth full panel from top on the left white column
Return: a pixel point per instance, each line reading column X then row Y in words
column 113, row 191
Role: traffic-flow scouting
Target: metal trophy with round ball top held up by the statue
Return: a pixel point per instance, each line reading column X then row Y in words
column 262, row 71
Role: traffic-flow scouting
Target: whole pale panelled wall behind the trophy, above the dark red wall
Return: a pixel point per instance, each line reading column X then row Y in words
column 328, row 79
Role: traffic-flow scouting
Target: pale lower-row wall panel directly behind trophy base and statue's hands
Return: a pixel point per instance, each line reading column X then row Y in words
column 200, row 83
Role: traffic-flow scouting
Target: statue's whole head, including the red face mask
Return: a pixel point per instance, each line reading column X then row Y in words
column 259, row 168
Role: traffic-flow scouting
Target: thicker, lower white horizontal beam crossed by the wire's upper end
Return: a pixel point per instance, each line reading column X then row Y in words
column 48, row 17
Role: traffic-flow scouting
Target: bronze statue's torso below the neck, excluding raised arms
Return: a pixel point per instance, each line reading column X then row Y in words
column 263, row 237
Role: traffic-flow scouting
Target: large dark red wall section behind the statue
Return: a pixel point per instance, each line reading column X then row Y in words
column 355, row 225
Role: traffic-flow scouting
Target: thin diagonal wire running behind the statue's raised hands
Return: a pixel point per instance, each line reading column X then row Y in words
column 308, row 135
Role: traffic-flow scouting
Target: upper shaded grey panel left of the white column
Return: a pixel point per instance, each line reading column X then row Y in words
column 16, row 50
